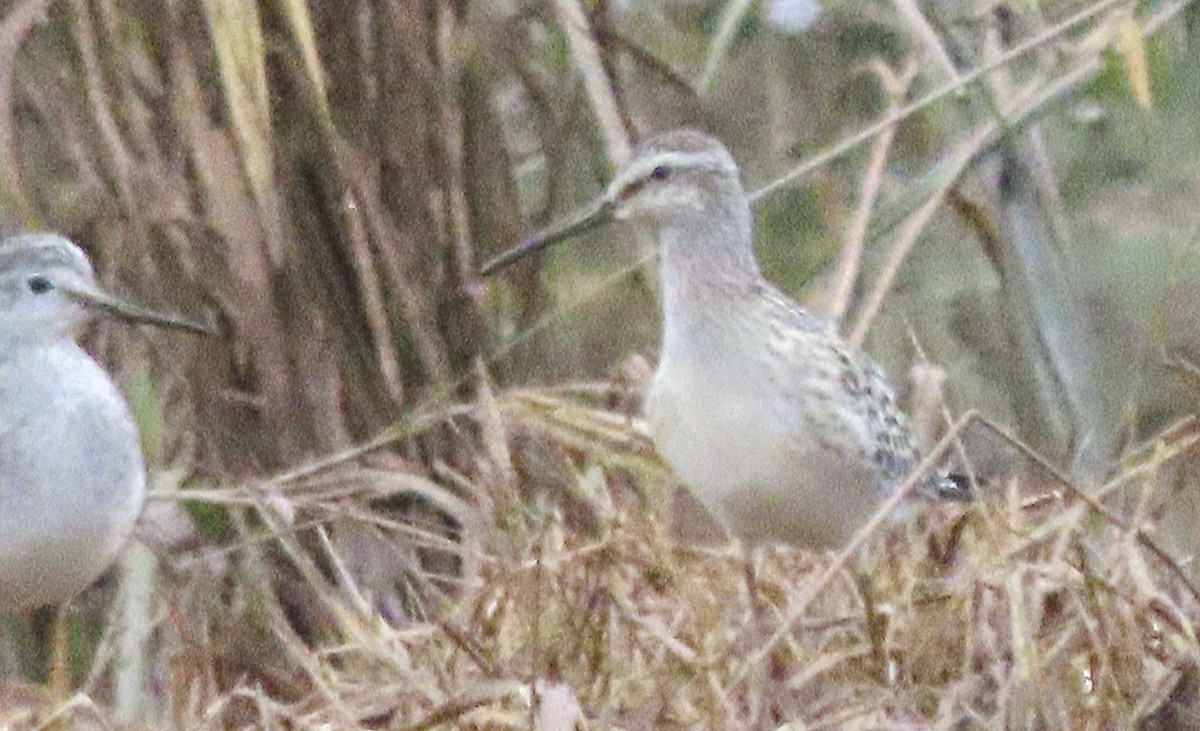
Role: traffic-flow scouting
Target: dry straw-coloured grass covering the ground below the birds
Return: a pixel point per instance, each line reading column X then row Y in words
column 1025, row 612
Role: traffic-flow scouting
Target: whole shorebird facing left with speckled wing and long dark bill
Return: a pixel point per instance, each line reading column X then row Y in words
column 783, row 430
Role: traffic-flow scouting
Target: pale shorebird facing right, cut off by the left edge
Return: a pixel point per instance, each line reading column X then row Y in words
column 73, row 478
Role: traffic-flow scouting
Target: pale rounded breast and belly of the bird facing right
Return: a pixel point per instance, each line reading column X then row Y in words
column 73, row 481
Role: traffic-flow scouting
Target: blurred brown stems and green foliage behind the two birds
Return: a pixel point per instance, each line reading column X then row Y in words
column 326, row 177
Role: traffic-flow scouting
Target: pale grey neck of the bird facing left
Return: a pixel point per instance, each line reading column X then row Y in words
column 710, row 275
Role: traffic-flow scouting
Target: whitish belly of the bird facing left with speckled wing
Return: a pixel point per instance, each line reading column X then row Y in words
column 755, row 464
